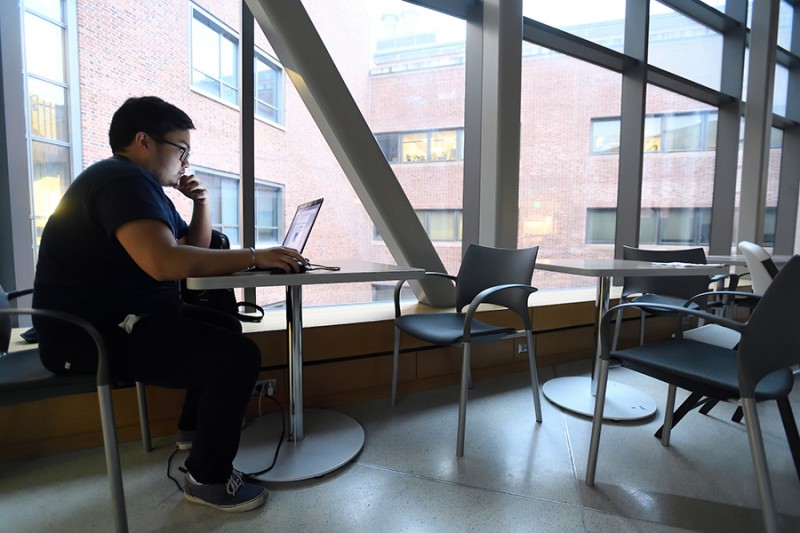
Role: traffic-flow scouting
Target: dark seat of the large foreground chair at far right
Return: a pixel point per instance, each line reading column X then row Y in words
column 700, row 367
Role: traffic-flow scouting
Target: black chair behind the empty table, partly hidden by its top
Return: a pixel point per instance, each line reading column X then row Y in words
column 672, row 290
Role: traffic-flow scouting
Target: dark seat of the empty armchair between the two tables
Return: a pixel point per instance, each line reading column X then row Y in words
column 446, row 329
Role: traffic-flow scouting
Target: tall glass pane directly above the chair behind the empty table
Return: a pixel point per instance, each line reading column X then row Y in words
column 677, row 183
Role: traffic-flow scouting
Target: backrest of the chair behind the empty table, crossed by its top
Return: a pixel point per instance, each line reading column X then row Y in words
column 677, row 286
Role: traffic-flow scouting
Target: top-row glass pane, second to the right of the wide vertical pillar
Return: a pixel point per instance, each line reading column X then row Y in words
column 681, row 45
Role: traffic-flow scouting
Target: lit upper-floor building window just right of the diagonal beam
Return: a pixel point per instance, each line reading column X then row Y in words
column 422, row 146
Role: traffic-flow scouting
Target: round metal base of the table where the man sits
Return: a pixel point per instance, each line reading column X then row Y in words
column 331, row 441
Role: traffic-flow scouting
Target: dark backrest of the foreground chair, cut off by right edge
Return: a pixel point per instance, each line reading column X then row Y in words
column 771, row 340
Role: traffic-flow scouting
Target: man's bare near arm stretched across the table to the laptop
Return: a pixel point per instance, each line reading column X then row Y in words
column 153, row 248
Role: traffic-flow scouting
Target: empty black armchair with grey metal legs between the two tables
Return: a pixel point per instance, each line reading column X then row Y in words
column 487, row 275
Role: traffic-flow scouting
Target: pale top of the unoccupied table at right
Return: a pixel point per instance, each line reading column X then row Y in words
column 624, row 267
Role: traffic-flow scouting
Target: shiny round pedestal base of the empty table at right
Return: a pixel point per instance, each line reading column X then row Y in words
column 622, row 401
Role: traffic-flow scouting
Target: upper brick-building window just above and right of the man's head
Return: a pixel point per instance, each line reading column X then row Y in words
column 214, row 59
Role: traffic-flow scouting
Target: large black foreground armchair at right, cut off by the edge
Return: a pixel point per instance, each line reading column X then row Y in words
column 758, row 370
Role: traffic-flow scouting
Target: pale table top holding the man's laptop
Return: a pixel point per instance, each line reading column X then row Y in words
column 350, row 271
